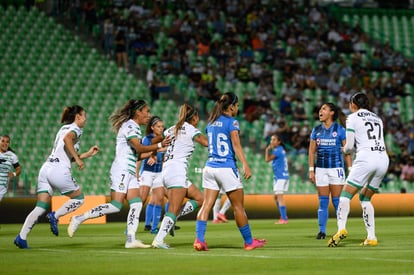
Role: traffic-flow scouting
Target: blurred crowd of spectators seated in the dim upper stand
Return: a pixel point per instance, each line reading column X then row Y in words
column 246, row 41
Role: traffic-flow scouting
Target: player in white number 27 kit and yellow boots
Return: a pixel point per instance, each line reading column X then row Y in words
column 365, row 135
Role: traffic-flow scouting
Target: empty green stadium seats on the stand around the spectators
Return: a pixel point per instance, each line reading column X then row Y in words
column 46, row 66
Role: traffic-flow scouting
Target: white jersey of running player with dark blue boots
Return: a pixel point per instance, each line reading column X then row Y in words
column 59, row 152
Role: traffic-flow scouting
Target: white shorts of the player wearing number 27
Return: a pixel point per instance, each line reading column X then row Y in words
column 366, row 172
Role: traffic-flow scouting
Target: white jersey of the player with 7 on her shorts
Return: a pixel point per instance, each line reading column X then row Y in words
column 125, row 155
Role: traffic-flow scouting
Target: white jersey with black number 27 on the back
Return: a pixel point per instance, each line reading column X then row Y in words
column 368, row 130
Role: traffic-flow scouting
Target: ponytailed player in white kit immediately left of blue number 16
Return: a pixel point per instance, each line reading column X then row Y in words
column 174, row 171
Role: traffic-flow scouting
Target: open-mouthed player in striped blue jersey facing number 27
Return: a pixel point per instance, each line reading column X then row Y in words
column 327, row 171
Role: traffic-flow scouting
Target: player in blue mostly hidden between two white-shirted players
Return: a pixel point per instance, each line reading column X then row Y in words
column 150, row 173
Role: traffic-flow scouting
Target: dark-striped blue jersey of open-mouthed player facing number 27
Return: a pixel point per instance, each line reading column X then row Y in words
column 328, row 145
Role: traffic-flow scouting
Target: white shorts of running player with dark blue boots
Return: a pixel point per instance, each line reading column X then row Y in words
column 55, row 176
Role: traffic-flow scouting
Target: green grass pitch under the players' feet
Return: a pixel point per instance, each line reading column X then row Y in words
column 291, row 249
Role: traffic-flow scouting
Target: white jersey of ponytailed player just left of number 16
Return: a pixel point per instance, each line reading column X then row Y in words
column 182, row 145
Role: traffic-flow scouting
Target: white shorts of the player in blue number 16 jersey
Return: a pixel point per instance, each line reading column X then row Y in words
column 226, row 179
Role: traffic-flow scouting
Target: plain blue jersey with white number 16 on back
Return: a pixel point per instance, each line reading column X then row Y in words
column 220, row 149
